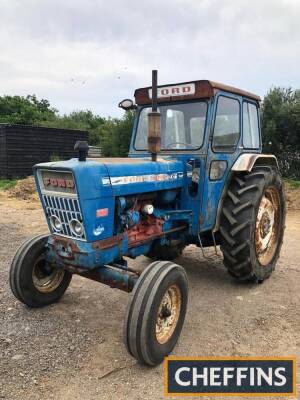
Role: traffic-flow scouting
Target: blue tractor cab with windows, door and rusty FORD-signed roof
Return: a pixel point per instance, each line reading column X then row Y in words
column 208, row 126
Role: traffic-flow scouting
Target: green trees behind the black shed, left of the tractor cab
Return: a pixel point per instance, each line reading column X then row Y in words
column 111, row 134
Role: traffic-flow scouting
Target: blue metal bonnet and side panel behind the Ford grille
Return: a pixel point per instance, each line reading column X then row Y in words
column 93, row 194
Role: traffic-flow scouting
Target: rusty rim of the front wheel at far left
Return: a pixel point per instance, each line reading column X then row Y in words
column 46, row 280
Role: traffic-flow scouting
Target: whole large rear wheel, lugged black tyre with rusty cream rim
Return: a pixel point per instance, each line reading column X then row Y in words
column 252, row 224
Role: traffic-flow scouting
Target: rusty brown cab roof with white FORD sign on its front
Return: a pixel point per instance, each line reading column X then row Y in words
column 188, row 90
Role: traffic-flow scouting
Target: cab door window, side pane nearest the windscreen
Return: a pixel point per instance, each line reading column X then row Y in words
column 227, row 124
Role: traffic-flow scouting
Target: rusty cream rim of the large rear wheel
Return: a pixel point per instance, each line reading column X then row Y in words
column 267, row 226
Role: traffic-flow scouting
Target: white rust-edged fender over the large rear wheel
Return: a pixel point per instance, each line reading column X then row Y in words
column 244, row 163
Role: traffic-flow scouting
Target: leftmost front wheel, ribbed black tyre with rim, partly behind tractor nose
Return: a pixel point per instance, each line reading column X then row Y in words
column 31, row 281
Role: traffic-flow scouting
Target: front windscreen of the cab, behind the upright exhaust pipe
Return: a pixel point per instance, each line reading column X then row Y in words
column 182, row 126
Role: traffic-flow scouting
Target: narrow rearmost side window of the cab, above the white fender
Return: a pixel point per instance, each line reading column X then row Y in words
column 250, row 126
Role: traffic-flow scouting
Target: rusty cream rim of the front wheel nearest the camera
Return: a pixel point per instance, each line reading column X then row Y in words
column 168, row 314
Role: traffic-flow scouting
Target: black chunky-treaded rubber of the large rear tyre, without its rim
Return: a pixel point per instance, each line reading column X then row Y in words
column 238, row 221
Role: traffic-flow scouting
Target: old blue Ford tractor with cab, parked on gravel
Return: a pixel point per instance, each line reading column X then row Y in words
column 195, row 175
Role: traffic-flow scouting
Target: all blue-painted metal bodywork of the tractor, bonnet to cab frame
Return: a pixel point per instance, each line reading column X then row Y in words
column 98, row 187
